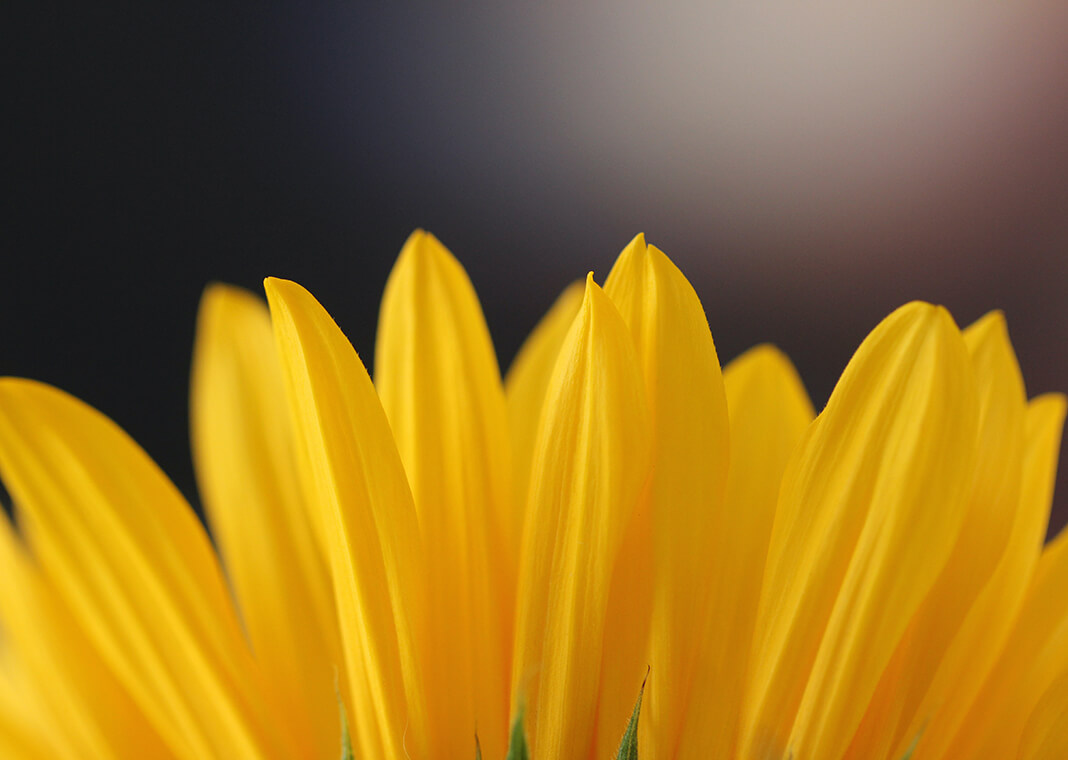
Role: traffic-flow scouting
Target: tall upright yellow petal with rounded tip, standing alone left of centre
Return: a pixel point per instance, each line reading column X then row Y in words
column 439, row 384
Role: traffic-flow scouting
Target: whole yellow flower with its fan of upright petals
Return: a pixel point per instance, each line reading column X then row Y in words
column 446, row 556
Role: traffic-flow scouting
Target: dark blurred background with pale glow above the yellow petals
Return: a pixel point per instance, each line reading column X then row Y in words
column 810, row 167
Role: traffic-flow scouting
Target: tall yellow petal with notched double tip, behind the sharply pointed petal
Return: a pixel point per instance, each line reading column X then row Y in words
column 685, row 498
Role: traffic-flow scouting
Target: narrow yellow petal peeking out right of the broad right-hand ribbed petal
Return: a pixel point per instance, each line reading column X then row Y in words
column 909, row 693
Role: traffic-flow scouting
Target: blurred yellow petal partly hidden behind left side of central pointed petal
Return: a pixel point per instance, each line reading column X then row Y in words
column 528, row 379
